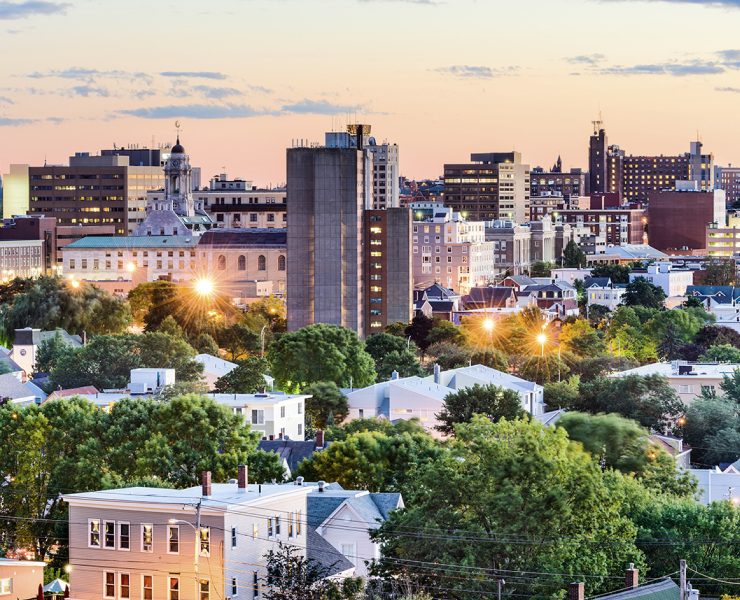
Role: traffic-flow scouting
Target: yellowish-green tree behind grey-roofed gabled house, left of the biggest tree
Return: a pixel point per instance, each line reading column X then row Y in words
column 378, row 461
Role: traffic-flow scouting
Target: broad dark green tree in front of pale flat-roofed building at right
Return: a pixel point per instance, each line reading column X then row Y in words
column 648, row 399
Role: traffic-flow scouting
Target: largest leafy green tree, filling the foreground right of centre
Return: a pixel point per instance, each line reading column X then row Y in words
column 533, row 500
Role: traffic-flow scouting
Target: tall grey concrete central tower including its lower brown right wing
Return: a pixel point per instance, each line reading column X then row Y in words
column 348, row 262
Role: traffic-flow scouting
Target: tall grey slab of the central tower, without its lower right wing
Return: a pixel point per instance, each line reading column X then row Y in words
column 326, row 200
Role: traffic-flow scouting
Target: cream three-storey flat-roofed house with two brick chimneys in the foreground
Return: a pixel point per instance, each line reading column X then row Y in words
column 201, row 543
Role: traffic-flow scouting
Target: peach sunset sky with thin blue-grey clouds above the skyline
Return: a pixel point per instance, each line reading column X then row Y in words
column 441, row 78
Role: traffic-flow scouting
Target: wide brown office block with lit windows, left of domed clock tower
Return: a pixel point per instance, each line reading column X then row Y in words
column 94, row 190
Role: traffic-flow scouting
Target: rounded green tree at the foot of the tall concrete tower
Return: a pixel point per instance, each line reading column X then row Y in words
column 321, row 353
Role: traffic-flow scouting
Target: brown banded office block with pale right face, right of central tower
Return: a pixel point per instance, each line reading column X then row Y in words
column 494, row 185
